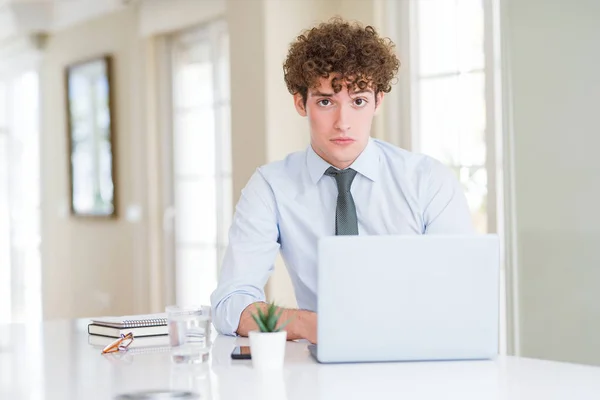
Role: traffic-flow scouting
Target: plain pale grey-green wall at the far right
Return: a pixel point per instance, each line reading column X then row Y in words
column 554, row 65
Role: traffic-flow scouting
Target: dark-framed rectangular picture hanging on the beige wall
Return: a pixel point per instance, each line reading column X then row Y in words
column 90, row 121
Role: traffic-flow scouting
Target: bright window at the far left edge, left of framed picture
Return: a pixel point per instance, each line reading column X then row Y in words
column 20, row 258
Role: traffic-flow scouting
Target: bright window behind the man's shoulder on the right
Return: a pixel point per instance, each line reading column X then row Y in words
column 449, row 86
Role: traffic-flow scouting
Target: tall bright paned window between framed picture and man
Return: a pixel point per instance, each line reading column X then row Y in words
column 201, row 159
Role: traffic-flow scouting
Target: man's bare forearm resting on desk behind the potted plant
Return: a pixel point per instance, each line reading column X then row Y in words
column 302, row 325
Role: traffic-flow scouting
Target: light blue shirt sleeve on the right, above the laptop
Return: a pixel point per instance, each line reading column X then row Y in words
column 446, row 210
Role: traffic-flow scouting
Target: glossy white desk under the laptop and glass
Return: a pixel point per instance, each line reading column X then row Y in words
column 53, row 360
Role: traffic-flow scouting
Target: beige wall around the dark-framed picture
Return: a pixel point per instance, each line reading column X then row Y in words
column 92, row 267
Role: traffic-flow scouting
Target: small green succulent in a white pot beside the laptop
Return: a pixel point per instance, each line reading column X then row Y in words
column 268, row 342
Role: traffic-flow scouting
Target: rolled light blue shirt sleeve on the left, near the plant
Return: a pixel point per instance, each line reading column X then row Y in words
column 250, row 255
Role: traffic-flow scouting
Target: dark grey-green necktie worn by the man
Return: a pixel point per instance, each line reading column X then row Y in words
column 346, row 222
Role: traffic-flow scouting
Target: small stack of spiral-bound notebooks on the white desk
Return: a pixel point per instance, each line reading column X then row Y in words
column 139, row 325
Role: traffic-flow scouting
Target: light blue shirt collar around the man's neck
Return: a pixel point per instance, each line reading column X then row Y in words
column 366, row 164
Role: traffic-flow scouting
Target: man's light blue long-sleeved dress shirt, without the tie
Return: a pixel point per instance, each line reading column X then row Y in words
column 288, row 205
